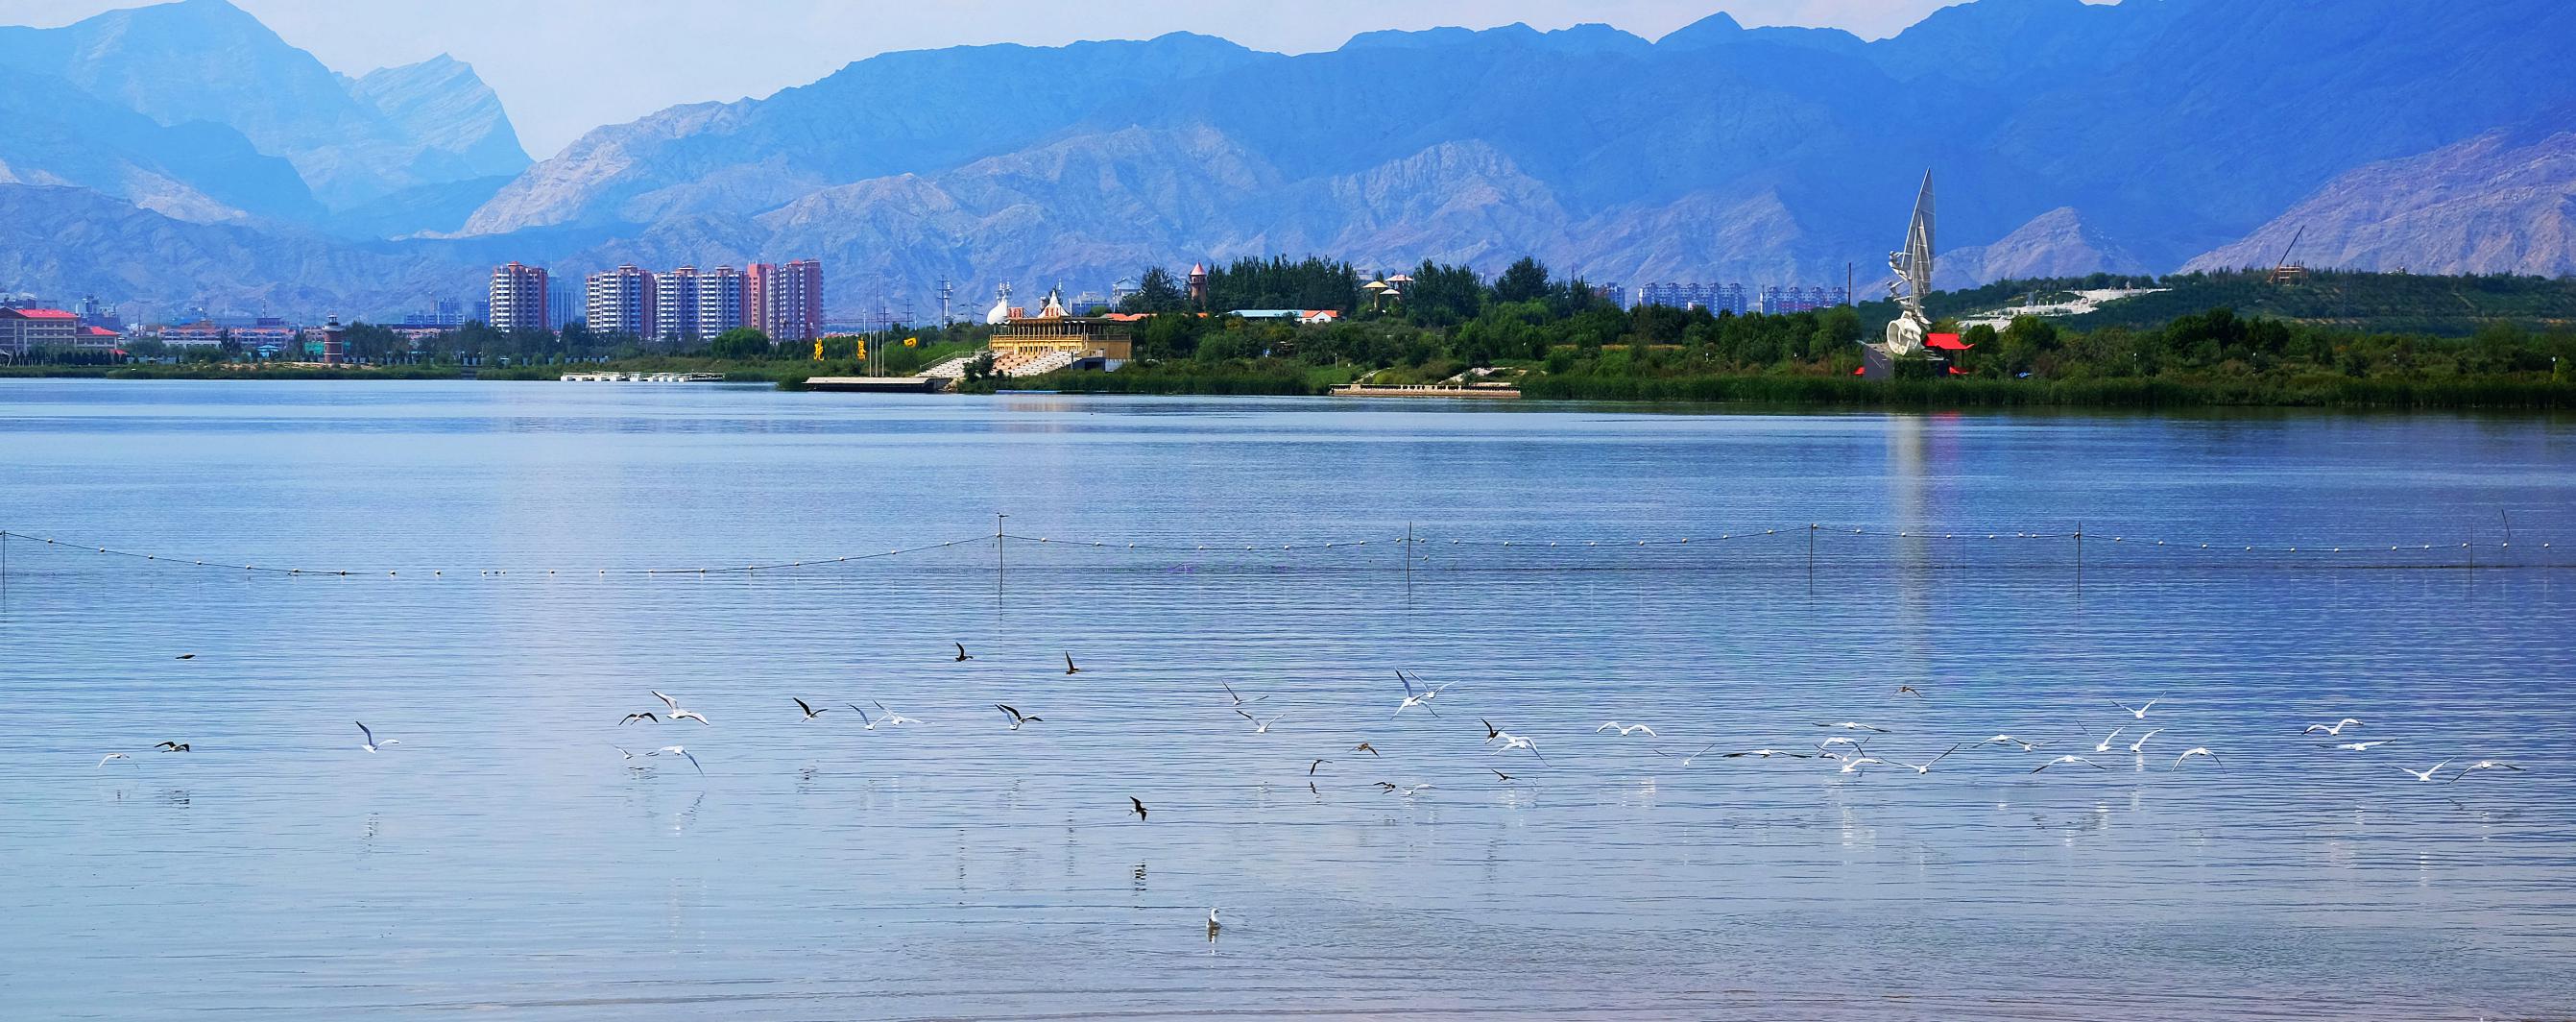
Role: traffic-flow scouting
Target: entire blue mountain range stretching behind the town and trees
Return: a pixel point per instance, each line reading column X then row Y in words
column 2065, row 138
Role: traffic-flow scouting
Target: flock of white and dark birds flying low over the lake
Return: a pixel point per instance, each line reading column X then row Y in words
column 1848, row 748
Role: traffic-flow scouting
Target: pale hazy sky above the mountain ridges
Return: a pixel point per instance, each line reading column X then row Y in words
column 571, row 66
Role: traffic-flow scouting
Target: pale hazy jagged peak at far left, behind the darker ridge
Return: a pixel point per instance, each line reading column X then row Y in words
column 207, row 60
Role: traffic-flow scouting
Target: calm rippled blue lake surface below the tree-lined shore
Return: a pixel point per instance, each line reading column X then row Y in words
column 509, row 861
